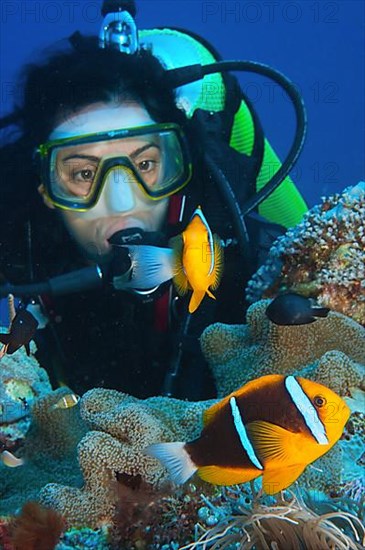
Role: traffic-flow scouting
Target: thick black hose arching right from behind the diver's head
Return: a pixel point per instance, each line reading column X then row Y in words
column 185, row 75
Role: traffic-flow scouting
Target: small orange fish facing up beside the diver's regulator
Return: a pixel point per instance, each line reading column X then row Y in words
column 198, row 260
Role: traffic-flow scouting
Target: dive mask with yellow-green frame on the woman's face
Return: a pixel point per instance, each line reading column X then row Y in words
column 153, row 157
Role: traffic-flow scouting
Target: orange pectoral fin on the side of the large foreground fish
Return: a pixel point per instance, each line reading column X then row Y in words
column 272, row 443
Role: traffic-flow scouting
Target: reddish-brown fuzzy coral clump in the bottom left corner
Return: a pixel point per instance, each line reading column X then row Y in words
column 36, row 528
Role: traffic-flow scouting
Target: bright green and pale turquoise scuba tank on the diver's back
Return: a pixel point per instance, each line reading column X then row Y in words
column 215, row 94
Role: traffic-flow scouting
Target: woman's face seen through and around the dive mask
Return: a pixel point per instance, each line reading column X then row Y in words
column 115, row 210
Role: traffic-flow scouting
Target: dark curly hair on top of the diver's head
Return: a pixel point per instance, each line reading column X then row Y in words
column 72, row 80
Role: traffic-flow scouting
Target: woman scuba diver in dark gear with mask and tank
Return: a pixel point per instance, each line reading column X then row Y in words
column 122, row 138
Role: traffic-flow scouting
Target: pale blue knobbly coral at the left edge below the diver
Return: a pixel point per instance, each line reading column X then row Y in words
column 22, row 382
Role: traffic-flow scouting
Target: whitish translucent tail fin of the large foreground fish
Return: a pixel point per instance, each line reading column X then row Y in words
column 175, row 458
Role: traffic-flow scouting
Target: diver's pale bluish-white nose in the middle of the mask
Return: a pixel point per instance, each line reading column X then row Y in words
column 118, row 191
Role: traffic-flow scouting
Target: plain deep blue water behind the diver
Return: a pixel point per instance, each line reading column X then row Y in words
column 318, row 44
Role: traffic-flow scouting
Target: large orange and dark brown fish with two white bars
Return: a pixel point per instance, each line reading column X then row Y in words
column 272, row 427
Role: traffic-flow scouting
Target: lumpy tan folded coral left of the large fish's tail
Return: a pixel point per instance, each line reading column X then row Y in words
column 121, row 428
